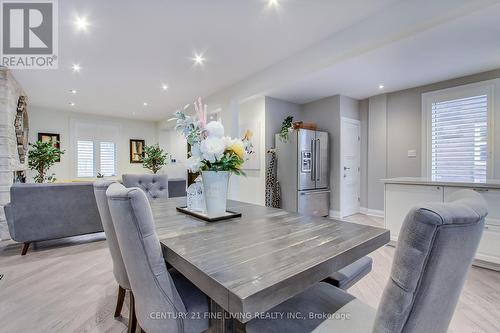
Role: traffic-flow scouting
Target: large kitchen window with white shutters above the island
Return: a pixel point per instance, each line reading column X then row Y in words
column 458, row 133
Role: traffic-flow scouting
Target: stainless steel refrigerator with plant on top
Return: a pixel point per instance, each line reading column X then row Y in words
column 303, row 172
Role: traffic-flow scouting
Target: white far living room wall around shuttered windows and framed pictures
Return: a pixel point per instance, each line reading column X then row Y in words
column 44, row 120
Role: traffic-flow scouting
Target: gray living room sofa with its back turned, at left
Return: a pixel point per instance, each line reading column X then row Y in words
column 39, row 212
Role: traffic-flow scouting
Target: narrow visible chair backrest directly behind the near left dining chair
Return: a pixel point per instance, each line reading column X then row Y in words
column 119, row 270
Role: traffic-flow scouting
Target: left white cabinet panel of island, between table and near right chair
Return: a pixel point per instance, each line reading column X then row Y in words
column 400, row 198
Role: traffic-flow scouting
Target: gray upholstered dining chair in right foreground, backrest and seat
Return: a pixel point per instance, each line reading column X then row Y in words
column 435, row 250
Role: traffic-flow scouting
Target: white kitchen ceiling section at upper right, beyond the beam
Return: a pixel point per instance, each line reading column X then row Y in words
column 463, row 46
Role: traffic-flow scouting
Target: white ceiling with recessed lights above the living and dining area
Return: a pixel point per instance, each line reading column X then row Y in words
column 132, row 47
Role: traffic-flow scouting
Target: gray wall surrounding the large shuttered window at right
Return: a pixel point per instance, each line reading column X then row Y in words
column 393, row 123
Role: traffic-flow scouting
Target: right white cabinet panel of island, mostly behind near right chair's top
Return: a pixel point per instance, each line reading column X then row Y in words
column 489, row 247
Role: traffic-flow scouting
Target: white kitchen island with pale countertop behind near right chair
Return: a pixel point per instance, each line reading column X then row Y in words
column 401, row 194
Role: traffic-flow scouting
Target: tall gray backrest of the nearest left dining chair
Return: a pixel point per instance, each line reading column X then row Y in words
column 154, row 291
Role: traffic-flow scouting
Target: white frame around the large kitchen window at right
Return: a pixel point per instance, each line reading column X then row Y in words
column 475, row 89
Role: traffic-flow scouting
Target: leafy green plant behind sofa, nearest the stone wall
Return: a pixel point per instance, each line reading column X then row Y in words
column 41, row 157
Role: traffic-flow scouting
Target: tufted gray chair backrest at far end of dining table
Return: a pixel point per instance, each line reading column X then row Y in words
column 155, row 186
